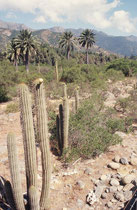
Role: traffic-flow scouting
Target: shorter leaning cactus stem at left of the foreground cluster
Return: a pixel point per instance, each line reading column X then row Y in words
column 15, row 173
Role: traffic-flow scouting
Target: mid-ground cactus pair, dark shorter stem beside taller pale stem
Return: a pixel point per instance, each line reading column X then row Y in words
column 63, row 123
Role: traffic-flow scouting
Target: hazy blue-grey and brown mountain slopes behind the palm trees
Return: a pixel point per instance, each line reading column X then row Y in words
column 122, row 45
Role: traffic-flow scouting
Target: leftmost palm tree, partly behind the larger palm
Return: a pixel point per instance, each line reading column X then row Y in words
column 13, row 52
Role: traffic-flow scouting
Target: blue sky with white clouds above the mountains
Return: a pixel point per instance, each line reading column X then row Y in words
column 116, row 17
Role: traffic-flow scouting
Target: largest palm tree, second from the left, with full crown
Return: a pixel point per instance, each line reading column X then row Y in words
column 27, row 44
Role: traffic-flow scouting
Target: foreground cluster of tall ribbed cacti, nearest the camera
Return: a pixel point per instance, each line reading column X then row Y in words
column 34, row 201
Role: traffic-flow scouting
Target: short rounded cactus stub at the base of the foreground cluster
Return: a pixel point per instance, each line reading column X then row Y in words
column 33, row 195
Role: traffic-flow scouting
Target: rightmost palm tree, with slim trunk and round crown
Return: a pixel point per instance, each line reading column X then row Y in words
column 87, row 39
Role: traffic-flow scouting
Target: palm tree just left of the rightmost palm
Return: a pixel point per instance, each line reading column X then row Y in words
column 67, row 42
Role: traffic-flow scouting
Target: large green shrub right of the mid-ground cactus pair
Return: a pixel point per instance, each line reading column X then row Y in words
column 92, row 130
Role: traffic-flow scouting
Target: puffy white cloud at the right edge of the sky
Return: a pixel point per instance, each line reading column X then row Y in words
column 122, row 21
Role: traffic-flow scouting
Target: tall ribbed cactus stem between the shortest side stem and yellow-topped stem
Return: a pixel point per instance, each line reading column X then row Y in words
column 28, row 136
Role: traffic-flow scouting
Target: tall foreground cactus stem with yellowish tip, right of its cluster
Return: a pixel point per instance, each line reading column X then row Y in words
column 42, row 126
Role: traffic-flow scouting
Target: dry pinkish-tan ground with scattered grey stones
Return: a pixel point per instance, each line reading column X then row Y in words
column 106, row 182
